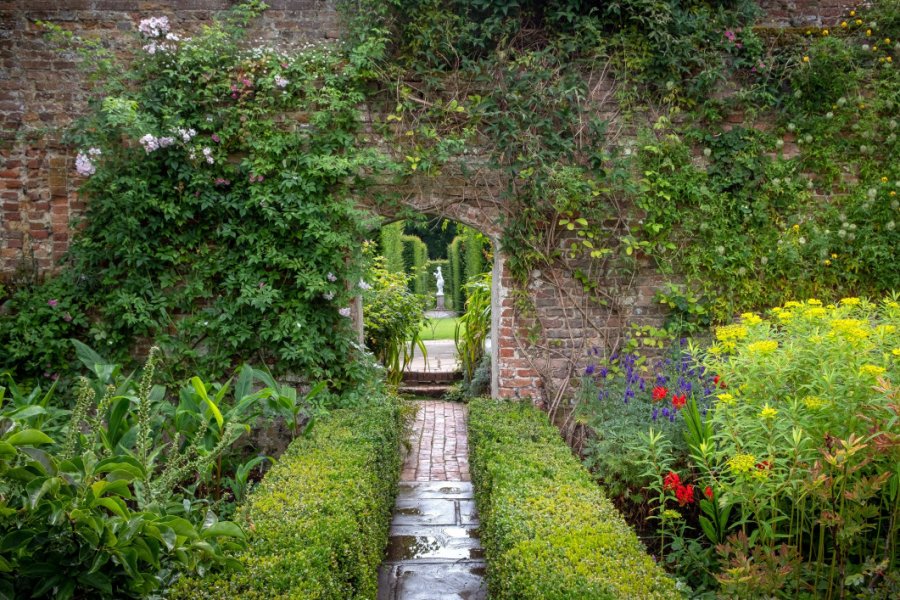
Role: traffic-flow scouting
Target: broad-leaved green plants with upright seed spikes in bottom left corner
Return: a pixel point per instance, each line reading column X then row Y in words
column 100, row 505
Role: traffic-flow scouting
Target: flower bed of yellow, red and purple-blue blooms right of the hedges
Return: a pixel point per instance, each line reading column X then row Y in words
column 788, row 485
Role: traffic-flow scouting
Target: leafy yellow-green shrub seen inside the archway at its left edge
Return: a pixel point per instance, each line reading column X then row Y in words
column 393, row 319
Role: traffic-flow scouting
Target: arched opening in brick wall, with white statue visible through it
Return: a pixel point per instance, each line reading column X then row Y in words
column 429, row 316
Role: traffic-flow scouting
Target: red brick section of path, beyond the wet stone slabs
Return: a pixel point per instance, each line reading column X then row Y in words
column 439, row 444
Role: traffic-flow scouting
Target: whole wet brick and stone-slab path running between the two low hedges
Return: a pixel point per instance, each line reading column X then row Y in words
column 434, row 552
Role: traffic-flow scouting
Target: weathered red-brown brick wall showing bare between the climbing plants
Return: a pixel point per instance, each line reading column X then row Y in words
column 41, row 90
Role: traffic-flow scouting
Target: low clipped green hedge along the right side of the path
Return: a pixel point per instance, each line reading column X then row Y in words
column 547, row 530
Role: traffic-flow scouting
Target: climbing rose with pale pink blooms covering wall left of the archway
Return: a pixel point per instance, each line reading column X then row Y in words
column 223, row 233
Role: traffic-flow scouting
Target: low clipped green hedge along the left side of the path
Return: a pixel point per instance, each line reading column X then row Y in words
column 319, row 519
